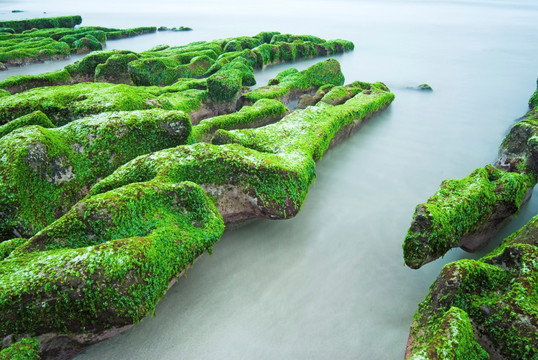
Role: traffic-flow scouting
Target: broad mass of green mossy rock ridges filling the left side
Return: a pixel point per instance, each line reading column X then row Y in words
column 110, row 190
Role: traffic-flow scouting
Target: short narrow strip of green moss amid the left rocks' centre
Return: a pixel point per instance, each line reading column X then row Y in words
column 263, row 112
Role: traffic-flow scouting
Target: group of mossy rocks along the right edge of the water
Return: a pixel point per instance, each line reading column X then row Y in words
column 486, row 308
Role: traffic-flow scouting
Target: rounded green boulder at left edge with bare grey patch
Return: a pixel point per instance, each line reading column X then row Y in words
column 44, row 171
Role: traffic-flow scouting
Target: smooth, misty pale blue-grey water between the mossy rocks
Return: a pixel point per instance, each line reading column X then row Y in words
column 331, row 282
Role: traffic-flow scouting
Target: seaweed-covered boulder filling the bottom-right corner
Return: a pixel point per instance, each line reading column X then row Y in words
column 496, row 300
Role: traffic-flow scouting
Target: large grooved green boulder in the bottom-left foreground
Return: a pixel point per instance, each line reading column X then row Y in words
column 104, row 265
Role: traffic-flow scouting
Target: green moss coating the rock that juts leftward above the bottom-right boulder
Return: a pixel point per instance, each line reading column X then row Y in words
column 459, row 208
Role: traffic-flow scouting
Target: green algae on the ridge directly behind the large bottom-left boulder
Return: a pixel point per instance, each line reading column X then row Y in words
column 278, row 184
